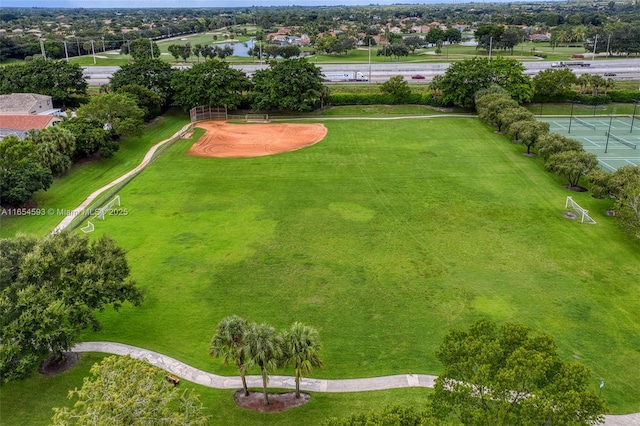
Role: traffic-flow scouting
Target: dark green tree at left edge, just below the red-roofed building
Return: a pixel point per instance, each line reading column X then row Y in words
column 21, row 171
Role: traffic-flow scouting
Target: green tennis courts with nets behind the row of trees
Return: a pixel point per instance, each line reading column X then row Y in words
column 614, row 139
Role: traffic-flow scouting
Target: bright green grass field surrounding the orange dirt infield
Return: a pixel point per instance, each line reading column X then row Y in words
column 383, row 236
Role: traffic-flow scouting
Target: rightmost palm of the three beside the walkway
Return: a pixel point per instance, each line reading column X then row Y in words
column 301, row 349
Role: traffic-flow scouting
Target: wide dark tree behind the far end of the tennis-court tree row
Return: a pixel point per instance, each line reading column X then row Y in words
column 463, row 79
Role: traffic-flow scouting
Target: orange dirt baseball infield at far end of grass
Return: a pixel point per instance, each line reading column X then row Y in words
column 226, row 140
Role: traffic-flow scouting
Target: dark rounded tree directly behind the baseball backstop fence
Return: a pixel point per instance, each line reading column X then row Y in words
column 210, row 83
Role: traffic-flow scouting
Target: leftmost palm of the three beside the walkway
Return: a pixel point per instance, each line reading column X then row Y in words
column 228, row 344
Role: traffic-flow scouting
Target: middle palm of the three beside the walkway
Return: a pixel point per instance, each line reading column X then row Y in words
column 263, row 348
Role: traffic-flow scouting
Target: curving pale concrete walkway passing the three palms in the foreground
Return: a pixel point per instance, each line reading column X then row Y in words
column 204, row 378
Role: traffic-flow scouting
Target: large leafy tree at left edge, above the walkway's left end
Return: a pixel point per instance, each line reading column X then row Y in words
column 49, row 291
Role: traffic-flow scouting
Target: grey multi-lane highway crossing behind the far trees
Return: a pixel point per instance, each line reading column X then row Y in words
column 624, row 69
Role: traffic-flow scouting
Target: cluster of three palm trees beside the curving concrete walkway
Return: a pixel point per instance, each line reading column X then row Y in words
column 251, row 344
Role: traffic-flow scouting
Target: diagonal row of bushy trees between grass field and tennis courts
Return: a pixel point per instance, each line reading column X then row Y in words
column 564, row 156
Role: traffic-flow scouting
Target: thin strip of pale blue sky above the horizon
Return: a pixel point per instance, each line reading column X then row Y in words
column 145, row 4
